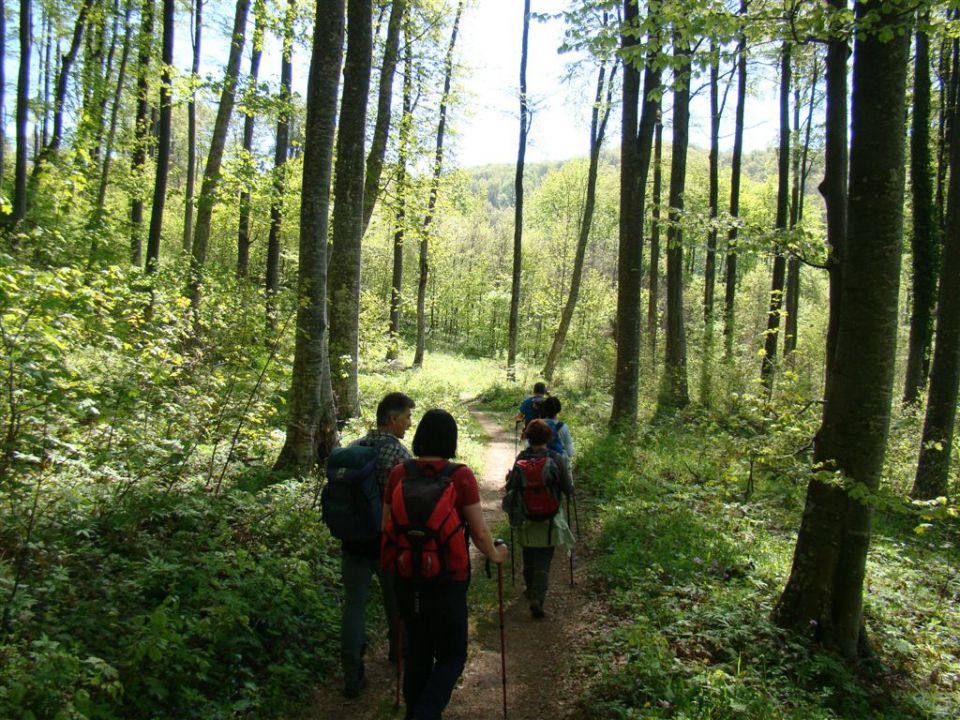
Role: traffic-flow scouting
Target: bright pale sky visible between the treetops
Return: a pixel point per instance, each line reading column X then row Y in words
column 489, row 131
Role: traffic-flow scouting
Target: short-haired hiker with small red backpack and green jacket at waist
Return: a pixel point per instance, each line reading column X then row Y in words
column 533, row 506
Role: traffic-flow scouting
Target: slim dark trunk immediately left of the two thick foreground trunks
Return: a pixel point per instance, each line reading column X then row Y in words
column 280, row 155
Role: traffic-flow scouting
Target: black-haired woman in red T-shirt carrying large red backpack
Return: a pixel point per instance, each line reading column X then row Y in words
column 430, row 512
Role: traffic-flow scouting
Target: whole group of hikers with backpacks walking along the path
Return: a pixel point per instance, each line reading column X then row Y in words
column 409, row 519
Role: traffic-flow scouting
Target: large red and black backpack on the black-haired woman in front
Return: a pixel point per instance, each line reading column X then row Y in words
column 424, row 536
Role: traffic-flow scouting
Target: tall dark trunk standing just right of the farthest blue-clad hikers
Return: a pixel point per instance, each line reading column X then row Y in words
column 635, row 150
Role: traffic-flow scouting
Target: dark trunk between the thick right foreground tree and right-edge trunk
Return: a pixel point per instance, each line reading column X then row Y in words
column 924, row 241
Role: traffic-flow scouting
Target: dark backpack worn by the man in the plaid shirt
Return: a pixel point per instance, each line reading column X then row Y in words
column 351, row 504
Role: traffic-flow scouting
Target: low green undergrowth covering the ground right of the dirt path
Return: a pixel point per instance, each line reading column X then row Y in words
column 689, row 569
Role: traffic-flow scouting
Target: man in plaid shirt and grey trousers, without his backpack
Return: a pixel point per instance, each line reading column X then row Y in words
column 361, row 561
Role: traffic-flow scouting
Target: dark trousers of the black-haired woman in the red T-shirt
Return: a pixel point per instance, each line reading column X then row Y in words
column 435, row 640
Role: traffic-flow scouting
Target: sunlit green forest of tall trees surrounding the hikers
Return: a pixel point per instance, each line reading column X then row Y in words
column 228, row 229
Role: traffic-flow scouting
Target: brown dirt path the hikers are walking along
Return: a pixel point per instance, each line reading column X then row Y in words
column 540, row 683
